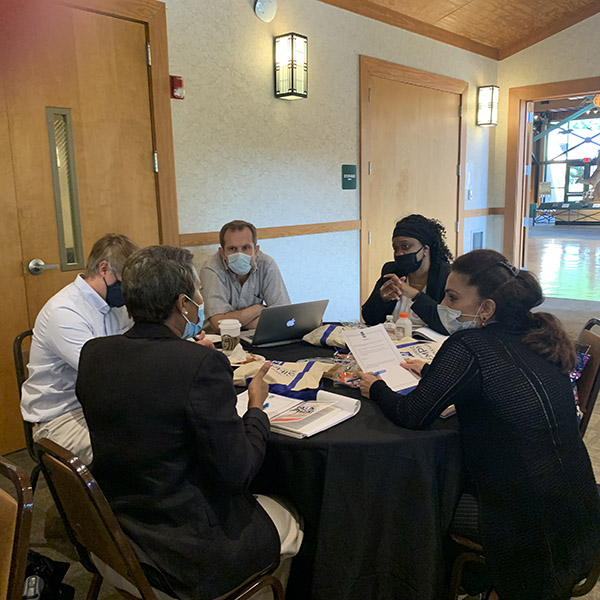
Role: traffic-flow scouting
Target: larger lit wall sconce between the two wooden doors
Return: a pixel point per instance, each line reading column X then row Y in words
column 291, row 66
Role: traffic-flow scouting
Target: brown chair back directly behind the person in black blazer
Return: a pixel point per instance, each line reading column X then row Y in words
column 88, row 518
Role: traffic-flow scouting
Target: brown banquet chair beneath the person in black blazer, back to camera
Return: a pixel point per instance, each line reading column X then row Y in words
column 99, row 540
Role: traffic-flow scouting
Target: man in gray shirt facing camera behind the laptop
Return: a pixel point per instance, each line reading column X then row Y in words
column 238, row 281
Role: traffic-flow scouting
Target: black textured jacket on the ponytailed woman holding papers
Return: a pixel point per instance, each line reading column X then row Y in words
column 538, row 503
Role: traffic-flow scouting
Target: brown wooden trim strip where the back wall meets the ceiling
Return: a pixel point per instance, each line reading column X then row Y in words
column 392, row 17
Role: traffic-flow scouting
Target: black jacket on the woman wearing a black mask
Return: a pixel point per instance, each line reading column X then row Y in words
column 374, row 310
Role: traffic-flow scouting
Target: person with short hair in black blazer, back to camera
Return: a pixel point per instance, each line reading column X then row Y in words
column 171, row 453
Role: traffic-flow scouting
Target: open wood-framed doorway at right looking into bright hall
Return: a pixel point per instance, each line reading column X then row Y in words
column 552, row 226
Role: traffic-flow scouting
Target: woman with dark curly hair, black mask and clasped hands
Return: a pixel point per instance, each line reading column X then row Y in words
column 415, row 280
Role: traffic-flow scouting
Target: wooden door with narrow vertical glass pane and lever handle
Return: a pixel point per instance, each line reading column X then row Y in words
column 95, row 65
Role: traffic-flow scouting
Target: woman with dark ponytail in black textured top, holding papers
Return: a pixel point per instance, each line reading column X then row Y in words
column 532, row 501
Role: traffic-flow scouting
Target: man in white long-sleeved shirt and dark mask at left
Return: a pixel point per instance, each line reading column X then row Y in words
column 92, row 306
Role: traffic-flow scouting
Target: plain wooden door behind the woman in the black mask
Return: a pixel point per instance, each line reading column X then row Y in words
column 410, row 157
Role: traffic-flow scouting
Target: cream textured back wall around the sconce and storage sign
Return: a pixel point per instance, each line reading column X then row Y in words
column 240, row 153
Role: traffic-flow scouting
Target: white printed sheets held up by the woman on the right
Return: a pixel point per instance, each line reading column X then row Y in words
column 374, row 350
